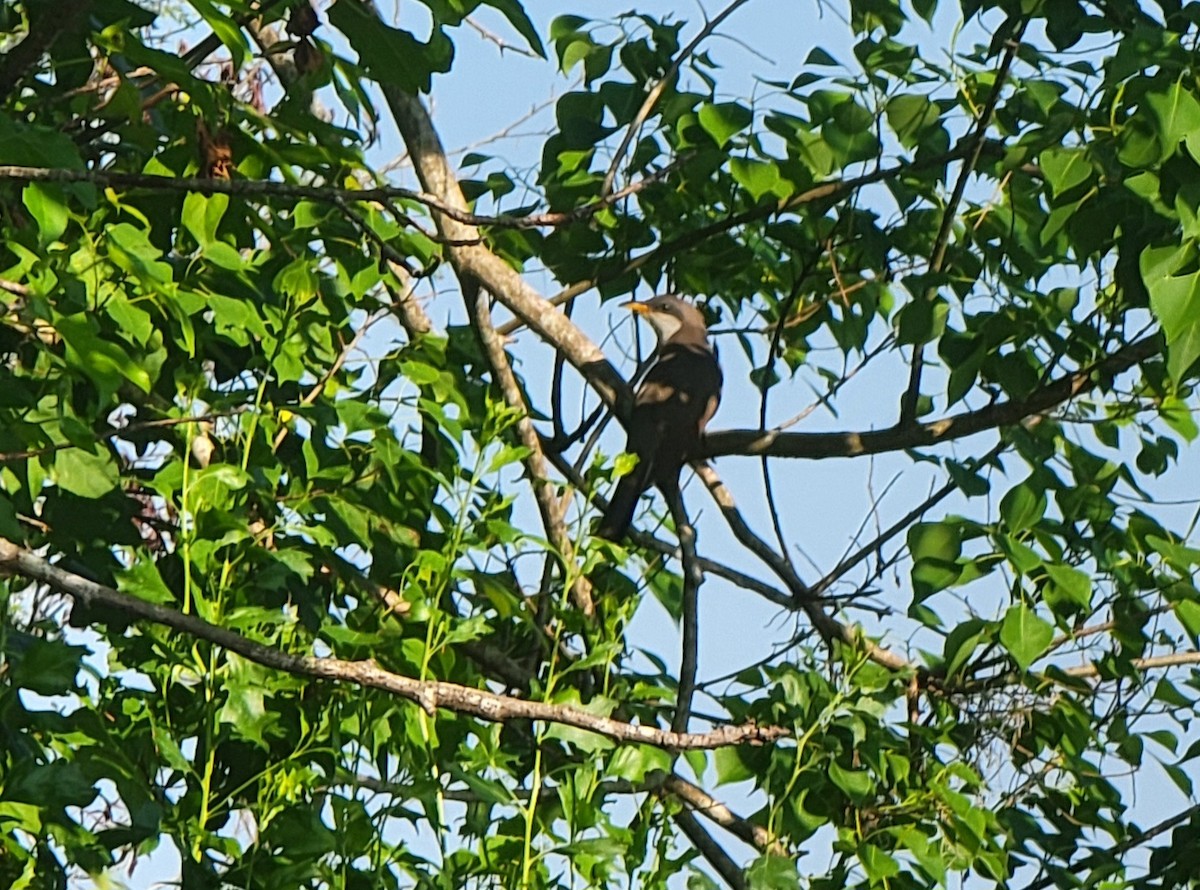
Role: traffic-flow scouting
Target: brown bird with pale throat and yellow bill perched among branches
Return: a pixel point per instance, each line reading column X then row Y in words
column 673, row 406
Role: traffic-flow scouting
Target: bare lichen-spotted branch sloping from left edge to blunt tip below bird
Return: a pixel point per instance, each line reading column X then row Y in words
column 431, row 695
